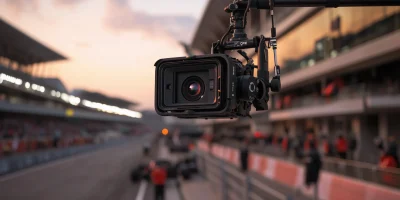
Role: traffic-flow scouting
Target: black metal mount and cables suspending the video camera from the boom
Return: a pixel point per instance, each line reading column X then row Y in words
column 238, row 10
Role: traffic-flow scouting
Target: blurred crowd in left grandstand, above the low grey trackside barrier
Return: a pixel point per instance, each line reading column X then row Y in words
column 29, row 134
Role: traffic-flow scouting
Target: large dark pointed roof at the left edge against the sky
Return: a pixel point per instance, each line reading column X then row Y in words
column 17, row 46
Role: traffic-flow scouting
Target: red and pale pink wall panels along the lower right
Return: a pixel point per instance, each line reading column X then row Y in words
column 277, row 173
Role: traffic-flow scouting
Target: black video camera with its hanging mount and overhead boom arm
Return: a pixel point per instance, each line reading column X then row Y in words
column 220, row 86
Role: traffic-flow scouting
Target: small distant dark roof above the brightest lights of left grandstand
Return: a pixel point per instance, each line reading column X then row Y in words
column 95, row 96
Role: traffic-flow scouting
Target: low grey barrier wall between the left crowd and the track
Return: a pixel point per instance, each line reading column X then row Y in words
column 22, row 161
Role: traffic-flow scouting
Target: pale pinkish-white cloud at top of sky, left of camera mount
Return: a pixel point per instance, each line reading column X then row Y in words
column 121, row 17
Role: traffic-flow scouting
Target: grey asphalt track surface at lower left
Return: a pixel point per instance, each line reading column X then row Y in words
column 102, row 174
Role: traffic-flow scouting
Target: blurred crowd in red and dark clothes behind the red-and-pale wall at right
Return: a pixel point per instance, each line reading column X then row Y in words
column 342, row 147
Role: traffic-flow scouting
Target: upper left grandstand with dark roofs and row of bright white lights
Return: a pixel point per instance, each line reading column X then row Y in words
column 23, row 92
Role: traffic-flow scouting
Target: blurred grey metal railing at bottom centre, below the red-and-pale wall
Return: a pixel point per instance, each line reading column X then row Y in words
column 230, row 183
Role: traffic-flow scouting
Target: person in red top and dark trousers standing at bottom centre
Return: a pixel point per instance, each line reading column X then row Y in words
column 158, row 178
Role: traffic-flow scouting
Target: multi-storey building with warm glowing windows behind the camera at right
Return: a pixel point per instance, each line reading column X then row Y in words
column 339, row 72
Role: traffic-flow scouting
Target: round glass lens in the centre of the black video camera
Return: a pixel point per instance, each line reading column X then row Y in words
column 193, row 88
